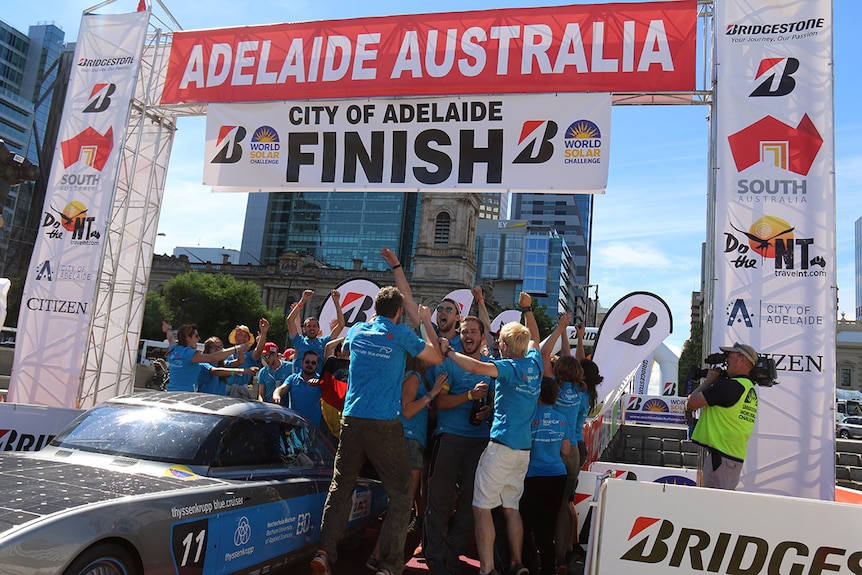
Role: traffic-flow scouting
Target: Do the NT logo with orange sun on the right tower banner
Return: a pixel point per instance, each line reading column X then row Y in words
column 773, row 238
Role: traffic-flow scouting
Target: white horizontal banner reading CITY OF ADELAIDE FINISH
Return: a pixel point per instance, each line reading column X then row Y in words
column 543, row 142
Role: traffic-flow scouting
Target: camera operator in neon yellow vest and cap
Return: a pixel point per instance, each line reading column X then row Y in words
column 729, row 403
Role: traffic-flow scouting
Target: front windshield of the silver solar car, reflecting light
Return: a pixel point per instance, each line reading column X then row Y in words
column 142, row 432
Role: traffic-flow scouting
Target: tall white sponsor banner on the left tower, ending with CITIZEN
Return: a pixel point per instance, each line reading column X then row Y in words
column 57, row 304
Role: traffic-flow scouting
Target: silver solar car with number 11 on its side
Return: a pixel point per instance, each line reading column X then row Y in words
column 249, row 498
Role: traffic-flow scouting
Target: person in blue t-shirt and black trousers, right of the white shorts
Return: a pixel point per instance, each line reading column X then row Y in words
column 546, row 480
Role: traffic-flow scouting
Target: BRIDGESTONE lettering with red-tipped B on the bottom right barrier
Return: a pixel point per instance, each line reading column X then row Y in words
column 692, row 550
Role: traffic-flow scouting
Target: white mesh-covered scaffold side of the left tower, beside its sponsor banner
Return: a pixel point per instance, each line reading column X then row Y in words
column 112, row 347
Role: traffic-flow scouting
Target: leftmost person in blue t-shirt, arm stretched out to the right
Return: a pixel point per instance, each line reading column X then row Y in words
column 183, row 356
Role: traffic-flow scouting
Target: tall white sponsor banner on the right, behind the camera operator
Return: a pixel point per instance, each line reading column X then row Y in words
column 775, row 230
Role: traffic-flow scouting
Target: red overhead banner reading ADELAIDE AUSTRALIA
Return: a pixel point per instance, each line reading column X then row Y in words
column 618, row 47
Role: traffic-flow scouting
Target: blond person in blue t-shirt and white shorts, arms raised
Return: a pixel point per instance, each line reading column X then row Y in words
column 503, row 465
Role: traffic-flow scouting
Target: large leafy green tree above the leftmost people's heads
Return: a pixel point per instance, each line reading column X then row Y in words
column 216, row 303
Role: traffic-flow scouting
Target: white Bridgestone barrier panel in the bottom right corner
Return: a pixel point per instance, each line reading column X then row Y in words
column 658, row 529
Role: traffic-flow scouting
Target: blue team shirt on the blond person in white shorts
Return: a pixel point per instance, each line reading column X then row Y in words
column 516, row 394
